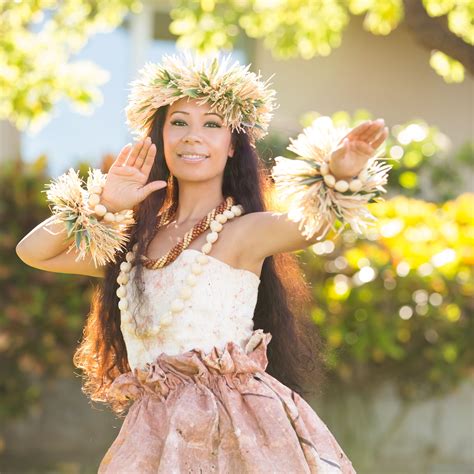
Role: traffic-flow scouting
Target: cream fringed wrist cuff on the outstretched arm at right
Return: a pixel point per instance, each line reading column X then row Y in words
column 299, row 181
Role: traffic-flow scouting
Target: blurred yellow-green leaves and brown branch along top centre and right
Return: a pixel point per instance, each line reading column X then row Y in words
column 309, row 28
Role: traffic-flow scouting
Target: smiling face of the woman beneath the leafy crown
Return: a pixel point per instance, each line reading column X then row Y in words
column 196, row 141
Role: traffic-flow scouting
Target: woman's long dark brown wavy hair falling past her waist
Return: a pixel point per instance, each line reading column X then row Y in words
column 282, row 308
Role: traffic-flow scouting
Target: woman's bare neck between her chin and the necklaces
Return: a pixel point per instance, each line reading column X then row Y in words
column 196, row 199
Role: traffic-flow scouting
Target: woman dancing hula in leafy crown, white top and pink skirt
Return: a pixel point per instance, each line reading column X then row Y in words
column 184, row 333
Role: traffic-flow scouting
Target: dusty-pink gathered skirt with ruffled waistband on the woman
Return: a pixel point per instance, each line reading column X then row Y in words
column 218, row 412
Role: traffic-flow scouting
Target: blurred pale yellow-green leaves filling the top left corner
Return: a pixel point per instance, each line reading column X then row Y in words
column 38, row 39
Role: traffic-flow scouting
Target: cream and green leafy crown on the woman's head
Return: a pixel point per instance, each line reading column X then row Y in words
column 241, row 97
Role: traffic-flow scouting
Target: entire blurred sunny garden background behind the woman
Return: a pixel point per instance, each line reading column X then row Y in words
column 394, row 307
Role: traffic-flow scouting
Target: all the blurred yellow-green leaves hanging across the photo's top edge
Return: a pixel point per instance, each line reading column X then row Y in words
column 39, row 38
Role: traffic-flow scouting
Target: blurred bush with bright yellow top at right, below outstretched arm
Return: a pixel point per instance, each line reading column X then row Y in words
column 399, row 303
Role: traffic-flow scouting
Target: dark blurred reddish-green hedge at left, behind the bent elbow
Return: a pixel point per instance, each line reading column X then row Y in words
column 42, row 313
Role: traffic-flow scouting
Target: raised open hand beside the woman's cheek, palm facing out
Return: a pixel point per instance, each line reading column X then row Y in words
column 125, row 186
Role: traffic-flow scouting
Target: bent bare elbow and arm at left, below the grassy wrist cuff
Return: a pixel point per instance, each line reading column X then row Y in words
column 45, row 248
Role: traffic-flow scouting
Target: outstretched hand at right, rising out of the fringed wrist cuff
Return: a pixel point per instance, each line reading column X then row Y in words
column 356, row 148
